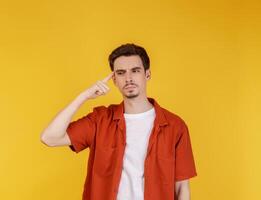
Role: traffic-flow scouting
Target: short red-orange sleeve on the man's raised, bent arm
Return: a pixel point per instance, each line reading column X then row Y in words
column 82, row 131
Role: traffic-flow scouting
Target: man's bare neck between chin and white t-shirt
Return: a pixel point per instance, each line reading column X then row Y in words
column 137, row 105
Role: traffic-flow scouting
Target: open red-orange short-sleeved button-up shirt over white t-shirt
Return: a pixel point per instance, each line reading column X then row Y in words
column 169, row 154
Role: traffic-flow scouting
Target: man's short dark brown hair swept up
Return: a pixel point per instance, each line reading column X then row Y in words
column 129, row 49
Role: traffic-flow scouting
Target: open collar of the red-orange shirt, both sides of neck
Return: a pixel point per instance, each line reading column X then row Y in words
column 160, row 117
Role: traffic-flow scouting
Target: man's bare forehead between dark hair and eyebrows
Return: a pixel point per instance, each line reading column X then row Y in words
column 127, row 62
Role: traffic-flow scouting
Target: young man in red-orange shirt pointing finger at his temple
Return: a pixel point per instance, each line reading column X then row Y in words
column 138, row 150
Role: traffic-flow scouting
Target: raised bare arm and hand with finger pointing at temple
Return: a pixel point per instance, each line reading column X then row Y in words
column 55, row 133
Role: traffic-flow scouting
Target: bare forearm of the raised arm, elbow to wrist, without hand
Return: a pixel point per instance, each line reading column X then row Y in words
column 57, row 127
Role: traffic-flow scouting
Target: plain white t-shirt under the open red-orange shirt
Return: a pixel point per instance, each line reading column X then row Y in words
column 138, row 130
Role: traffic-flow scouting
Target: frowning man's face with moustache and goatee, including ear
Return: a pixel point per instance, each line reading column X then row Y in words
column 129, row 76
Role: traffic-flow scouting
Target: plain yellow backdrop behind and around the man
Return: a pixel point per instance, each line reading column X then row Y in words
column 205, row 62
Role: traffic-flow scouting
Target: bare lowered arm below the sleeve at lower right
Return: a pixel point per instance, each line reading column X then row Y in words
column 182, row 190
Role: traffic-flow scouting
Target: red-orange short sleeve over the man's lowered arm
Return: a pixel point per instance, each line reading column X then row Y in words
column 185, row 165
